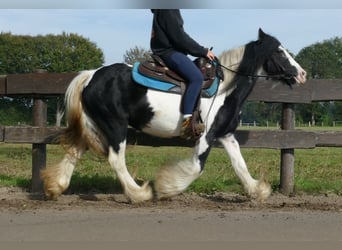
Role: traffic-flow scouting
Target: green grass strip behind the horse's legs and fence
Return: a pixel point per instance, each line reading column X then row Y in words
column 317, row 170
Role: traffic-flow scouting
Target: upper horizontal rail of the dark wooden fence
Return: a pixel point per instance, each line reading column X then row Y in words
column 55, row 84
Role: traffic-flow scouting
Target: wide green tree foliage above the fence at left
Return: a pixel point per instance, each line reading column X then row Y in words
column 54, row 53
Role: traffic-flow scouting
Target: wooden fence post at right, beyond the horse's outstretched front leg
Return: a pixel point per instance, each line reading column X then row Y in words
column 287, row 155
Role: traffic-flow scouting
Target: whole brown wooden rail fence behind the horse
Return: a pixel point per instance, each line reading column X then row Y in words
column 40, row 86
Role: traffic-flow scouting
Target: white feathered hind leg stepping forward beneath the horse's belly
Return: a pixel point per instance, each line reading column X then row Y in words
column 132, row 190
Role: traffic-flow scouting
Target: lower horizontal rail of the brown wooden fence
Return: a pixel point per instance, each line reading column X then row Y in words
column 273, row 139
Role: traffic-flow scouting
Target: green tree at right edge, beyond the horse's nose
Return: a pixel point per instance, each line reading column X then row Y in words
column 322, row 60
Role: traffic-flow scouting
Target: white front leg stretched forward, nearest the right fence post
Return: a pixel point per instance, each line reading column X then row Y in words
column 256, row 189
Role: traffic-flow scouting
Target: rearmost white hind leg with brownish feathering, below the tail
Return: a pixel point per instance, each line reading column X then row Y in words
column 57, row 178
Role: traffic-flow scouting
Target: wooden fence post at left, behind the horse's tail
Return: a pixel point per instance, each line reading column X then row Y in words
column 38, row 149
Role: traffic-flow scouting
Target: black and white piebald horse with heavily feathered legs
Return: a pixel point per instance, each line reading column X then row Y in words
column 102, row 103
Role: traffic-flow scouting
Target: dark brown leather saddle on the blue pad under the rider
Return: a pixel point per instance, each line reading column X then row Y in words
column 157, row 69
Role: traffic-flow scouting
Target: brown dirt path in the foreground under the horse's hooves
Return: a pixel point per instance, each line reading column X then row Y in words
column 189, row 217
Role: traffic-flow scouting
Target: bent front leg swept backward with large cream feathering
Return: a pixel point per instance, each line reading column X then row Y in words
column 174, row 179
